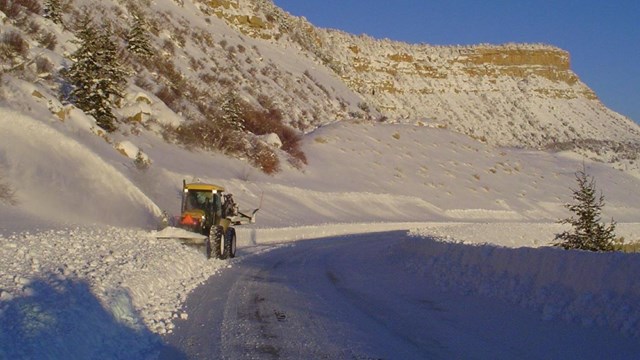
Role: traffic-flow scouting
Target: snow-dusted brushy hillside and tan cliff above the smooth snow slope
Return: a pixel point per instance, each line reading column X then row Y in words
column 522, row 95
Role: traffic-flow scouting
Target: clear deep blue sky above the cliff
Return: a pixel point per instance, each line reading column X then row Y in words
column 602, row 36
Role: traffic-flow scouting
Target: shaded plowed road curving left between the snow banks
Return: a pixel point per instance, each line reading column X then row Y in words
column 354, row 297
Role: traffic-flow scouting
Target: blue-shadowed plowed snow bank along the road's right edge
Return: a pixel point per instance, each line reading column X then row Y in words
column 589, row 288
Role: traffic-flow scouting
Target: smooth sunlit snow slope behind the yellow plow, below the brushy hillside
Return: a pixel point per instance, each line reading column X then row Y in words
column 64, row 173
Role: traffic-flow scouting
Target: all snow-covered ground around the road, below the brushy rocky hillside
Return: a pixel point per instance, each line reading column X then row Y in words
column 82, row 274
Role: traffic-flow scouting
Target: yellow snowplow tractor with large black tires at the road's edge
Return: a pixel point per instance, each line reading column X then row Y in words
column 207, row 210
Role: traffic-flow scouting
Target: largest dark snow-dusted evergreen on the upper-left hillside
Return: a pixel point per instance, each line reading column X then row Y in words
column 96, row 74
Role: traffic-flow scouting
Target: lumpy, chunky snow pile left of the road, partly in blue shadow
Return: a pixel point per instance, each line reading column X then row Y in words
column 113, row 287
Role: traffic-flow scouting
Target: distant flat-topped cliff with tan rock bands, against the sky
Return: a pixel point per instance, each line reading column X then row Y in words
column 514, row 94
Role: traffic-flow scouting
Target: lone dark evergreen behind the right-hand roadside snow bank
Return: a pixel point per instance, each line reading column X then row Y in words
column 588, row 231
